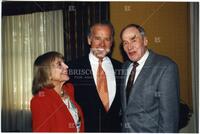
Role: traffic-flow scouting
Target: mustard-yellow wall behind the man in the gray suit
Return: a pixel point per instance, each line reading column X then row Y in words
column 167, row 27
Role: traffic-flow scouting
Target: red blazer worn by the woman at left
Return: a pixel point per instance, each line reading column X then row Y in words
column 50, row 114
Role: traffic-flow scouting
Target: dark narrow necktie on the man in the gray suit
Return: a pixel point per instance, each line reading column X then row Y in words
column 131, row 80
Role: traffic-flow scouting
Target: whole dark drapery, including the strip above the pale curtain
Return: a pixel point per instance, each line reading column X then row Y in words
column 77, row 17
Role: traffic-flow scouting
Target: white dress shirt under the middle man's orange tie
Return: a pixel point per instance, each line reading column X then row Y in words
column 109, row 71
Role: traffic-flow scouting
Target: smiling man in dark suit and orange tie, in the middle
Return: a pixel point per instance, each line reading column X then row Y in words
column 99, row 98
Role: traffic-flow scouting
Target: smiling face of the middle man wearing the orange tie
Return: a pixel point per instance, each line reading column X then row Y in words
column 100, row 40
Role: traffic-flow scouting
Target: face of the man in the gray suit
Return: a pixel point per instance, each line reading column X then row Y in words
column 133, row 43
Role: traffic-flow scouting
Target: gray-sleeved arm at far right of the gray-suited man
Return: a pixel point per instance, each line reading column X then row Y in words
column 169, row 99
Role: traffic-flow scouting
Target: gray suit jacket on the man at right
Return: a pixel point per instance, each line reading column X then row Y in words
column 153, row 104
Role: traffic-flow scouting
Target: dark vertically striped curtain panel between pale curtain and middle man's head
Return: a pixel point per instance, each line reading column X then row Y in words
column 77, row 17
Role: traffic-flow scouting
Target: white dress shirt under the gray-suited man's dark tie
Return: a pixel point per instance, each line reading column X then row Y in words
column 138, row 68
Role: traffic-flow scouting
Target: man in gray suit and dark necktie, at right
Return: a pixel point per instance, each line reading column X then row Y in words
column 150, row 87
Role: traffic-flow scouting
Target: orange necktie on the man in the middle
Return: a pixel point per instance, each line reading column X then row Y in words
column 102, row 86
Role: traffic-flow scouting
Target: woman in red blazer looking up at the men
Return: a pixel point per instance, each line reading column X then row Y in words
column 53, row 106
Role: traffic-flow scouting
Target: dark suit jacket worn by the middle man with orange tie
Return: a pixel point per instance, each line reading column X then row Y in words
column 96, row 118
